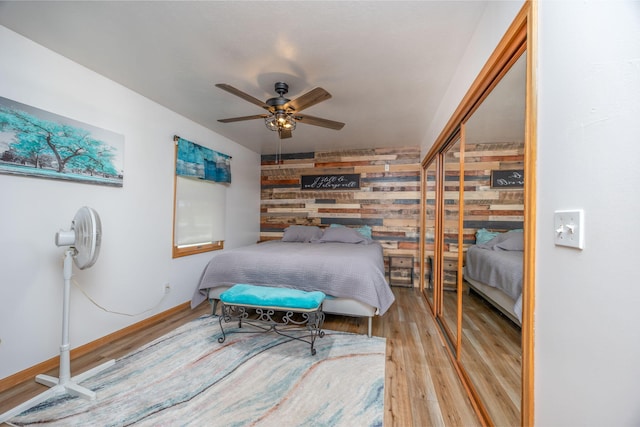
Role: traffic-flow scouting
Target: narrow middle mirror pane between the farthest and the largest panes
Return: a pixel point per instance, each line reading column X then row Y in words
column 451, row 232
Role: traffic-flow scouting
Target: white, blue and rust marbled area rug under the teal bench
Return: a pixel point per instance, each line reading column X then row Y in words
column 187, row 378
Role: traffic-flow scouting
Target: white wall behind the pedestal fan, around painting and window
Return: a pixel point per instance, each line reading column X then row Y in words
column 135, row 260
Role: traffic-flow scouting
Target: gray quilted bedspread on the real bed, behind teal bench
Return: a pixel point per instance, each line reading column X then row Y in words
column 337, row 269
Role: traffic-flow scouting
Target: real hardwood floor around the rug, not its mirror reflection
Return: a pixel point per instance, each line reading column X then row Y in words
column 421, row 385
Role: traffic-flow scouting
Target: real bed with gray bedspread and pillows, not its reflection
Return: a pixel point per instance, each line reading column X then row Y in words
column 339, row 261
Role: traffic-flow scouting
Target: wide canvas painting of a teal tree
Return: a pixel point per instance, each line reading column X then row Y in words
column 37, row 143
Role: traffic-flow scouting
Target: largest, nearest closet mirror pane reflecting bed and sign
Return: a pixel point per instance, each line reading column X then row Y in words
column 491, row 352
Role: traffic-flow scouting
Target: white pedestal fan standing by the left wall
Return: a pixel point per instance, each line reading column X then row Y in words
column 83, row 241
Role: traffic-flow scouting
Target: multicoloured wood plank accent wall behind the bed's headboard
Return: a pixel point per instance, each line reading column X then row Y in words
column 388, row 201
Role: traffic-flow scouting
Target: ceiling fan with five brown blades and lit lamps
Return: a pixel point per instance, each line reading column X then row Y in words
column 283, row 112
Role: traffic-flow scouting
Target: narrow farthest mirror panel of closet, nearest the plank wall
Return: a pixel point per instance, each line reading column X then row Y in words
column 429, row 231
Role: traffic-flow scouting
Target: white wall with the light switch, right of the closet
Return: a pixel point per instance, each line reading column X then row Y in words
column 587, row 345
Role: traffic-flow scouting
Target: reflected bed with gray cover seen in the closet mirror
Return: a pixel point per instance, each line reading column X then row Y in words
column 493, row 269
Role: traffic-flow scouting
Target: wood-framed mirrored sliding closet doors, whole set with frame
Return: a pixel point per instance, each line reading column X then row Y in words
column 479, row 187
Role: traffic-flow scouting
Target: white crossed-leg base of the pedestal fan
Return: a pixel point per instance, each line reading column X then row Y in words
column 58, row 388
